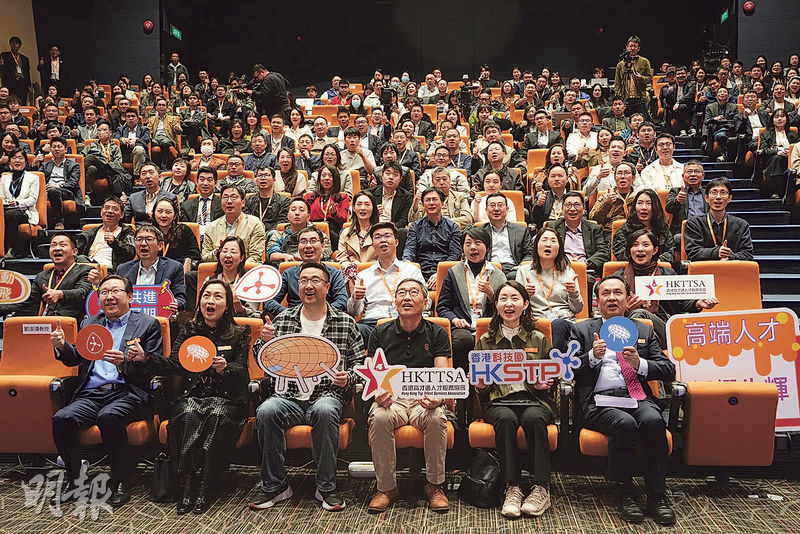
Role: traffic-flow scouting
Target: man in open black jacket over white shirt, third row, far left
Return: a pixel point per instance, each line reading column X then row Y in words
column 110, row 244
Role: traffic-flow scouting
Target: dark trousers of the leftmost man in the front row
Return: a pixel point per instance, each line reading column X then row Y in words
column 111, row 411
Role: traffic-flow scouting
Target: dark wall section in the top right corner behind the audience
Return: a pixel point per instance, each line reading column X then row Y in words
column 771, row 30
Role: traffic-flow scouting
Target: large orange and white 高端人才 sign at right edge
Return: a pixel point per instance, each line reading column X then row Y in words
column 745, row 345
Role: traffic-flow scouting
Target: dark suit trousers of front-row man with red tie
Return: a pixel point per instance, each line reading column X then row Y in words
column 624, row 426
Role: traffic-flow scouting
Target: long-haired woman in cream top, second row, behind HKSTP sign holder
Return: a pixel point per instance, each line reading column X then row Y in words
column 549, row 280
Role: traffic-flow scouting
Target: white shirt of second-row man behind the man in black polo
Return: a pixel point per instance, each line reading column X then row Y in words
column 379, row 299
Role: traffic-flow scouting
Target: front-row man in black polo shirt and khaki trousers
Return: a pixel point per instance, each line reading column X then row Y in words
column 412, row 341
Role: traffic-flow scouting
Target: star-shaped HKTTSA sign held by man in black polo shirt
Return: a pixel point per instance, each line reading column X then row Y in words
column 411, row 382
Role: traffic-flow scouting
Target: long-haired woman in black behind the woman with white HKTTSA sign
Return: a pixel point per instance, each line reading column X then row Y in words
column 647, row 213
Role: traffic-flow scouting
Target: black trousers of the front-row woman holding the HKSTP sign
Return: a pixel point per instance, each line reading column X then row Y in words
column 533, row 420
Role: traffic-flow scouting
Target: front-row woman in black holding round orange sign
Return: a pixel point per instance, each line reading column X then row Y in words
column 209, row 414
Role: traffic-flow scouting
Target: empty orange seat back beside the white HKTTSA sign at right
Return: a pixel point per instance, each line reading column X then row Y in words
column 736, row 283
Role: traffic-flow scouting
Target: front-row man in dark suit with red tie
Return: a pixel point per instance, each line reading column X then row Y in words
column 601, row 373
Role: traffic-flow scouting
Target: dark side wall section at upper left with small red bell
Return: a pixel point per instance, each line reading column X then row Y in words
column 100, row 39
